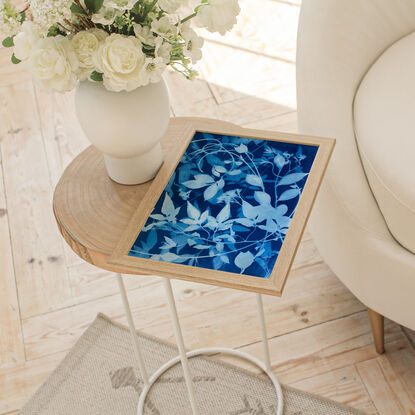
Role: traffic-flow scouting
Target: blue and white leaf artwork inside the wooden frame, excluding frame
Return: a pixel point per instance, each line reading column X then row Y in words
column 228, row 204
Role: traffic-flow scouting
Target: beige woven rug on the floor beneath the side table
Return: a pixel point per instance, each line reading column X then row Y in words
column 99, row 376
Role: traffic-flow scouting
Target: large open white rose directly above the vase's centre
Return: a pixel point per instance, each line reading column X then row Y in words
column 120, row 58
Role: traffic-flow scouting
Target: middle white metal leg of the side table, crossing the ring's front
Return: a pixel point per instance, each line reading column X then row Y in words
column 180, row 345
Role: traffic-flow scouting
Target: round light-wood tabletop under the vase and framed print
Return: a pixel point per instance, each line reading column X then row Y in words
column 92, row 211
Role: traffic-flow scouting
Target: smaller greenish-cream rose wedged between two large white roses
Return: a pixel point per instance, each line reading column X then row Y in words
column 86, row 44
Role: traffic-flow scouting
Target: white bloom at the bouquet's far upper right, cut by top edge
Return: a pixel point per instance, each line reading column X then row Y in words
column 218, row 15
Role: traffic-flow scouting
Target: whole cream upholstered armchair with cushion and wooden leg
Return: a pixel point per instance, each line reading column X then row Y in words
column 356, row 83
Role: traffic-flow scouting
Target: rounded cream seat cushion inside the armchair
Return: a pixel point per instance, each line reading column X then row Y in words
column 384, row 115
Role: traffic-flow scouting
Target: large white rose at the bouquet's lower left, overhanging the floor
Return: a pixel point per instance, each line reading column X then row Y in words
column 53, row 63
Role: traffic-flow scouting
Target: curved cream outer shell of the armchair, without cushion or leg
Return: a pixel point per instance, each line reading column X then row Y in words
column 338, row 41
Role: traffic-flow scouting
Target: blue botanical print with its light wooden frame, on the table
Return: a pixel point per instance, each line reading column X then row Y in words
column 229, row 210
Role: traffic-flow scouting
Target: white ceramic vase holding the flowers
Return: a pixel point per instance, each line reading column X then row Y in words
column 126, row 127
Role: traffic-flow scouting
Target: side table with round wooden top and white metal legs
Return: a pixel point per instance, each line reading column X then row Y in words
column 92, row 213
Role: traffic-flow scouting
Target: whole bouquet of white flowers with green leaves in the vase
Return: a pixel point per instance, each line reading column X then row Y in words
column 122, row 43
